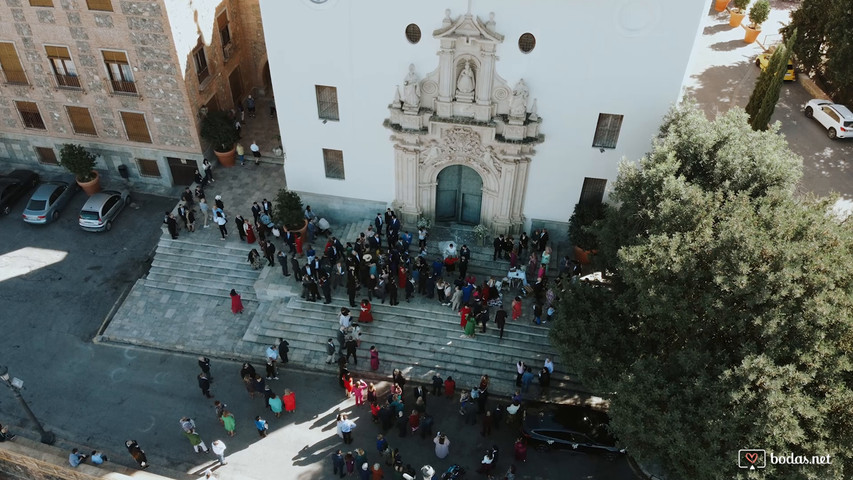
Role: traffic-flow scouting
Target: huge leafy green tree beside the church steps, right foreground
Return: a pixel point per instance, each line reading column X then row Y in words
column 726, row 323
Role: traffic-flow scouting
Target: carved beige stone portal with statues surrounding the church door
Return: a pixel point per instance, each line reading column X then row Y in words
column 463, row 113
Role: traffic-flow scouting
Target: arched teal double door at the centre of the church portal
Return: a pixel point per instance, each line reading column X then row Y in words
column 458, row 195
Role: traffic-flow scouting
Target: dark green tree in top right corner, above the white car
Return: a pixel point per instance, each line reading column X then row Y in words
column 823, row 43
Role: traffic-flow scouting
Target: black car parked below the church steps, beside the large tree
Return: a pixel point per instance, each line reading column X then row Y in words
column 570, row 427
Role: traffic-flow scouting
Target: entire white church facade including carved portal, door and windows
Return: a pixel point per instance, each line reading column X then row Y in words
column 498, row 113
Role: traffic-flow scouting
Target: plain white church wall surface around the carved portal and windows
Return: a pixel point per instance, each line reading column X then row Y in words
column 618, row 56
